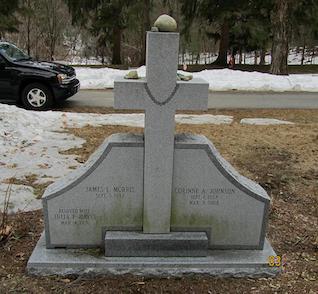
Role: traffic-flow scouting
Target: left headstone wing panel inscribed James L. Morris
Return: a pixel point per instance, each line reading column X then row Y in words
column 110, row 196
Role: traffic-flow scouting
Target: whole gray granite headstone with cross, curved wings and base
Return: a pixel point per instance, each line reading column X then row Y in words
column 157, row 195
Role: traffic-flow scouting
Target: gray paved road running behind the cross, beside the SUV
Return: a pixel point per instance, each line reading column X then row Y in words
column 104, row 98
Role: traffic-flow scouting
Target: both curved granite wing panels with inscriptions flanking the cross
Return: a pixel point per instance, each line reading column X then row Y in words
column 208, row 195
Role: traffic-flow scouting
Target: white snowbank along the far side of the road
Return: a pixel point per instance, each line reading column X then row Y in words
column 218, row 79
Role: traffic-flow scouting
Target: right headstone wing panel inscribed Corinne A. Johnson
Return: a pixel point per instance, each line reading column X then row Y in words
column 209, row 194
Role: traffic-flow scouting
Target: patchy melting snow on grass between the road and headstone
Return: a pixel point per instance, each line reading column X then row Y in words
column 30, row 143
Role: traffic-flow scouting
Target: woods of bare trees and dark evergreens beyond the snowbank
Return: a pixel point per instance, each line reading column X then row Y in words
column 113, row 31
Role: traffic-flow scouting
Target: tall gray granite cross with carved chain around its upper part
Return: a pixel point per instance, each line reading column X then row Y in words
column 160, row 95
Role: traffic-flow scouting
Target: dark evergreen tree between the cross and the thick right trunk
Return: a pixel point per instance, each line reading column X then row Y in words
column 237, row 25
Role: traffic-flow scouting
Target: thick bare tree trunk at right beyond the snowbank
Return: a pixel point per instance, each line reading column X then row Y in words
column 280, row 27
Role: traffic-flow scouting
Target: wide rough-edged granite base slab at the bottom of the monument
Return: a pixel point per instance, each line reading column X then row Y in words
column 228, row 263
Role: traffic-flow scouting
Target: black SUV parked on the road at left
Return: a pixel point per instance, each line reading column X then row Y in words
column 37, row 85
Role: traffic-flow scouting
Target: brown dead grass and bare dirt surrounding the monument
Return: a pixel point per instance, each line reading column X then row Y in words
column 283, row 159
